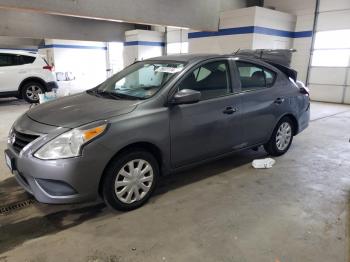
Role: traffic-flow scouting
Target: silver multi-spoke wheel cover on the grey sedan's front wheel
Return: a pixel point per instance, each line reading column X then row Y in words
column 133, row 181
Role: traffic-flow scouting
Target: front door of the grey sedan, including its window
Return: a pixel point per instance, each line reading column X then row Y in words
column 210, row 127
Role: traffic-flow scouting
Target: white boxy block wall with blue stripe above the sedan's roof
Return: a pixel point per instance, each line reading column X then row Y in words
column 246, row 28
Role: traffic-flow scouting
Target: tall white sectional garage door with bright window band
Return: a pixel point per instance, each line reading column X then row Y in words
column 329, row 72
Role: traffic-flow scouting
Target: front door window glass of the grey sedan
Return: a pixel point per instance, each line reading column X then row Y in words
column 211, row 79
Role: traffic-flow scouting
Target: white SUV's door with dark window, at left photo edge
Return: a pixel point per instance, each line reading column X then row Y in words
column 9, row 67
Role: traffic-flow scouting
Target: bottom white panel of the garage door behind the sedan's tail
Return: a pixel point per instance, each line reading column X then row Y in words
column 326, row 93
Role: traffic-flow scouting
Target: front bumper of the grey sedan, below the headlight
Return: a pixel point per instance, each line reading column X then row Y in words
column 57, row 182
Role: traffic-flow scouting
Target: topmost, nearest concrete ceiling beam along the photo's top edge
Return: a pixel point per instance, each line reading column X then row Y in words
column 195, row 14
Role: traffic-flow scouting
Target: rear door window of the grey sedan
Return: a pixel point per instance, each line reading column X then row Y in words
column 254, row 76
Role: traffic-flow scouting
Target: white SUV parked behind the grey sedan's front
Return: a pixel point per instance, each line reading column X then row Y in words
column 25, row 74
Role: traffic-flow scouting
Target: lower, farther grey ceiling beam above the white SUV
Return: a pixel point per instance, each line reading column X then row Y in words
column 40, row 26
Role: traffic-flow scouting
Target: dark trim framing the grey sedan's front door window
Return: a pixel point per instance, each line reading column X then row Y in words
column 190, row 70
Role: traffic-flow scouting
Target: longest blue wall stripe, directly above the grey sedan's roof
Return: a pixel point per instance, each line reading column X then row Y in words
column 251, row 30
